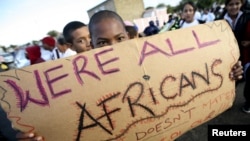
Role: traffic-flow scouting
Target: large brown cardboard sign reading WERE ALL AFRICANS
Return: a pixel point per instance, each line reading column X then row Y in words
column 154, row 88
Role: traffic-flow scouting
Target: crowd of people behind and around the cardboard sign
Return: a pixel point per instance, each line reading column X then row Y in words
column 108, row 28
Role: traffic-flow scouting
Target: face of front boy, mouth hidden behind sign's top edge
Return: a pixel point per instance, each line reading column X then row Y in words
column 108, row 32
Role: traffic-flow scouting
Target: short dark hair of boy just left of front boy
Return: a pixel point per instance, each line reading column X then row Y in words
column 69, row 28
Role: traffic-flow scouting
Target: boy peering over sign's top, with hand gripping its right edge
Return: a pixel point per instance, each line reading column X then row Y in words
column 107, row 28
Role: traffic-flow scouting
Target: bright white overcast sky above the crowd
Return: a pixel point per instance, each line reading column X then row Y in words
column 22, row 21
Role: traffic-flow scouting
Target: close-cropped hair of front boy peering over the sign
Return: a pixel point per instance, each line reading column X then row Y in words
column 101, row 15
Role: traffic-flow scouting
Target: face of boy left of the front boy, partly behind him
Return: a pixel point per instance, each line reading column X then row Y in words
column 81, row 40
